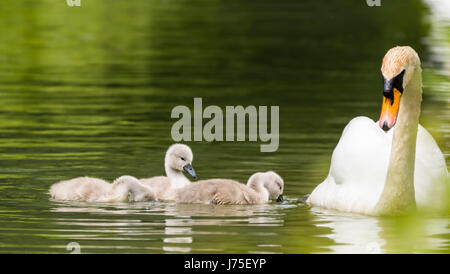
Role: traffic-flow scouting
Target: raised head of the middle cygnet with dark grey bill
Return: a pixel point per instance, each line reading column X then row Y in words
column 179, row 157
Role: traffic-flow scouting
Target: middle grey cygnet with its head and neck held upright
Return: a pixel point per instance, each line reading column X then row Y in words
column 178, row 158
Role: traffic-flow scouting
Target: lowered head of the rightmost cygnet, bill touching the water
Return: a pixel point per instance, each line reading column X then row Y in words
column 271, row 181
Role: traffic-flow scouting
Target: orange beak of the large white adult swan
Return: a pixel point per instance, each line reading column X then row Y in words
column 389, row 110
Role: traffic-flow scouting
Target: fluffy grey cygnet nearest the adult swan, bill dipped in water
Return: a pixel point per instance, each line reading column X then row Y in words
column 259, row 189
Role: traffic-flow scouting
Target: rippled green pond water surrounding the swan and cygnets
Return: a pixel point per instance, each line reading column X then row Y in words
column 89, row 91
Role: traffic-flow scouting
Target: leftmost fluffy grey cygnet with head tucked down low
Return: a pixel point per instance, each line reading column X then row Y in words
column 123, row 189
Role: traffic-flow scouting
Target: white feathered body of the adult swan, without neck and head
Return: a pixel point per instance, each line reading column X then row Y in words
column 356, row 180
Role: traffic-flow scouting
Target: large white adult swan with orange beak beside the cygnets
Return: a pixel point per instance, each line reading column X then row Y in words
column 375, row 172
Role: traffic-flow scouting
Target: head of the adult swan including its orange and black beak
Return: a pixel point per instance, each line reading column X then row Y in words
column 398, row 68
